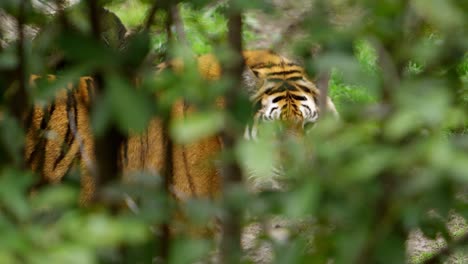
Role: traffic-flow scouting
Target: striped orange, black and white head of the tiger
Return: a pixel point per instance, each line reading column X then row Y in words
column 280, row 90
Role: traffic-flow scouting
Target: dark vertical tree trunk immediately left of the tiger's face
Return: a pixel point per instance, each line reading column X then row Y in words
column 231, row 172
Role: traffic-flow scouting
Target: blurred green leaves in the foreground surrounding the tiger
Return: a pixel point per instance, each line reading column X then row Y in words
column 396, row 162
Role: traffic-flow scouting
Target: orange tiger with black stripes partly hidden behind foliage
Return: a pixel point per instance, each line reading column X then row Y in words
column 59, row 133
